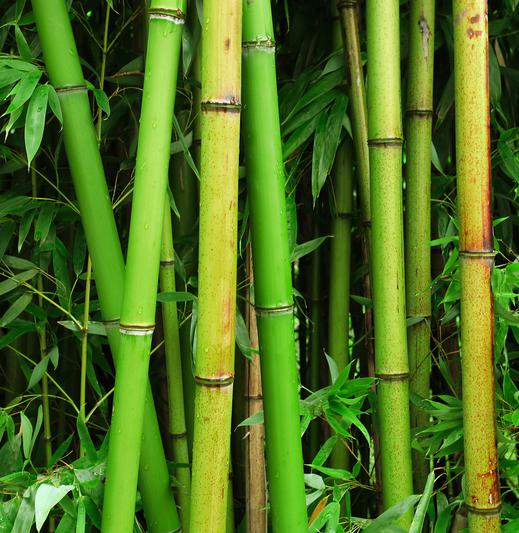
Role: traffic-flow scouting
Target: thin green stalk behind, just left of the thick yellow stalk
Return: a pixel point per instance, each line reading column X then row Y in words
column 177, row 423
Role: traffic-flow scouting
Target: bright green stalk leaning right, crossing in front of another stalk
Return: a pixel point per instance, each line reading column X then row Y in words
column 142, row 268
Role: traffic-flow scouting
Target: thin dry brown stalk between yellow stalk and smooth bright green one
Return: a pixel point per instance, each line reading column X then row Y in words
column 255, row 482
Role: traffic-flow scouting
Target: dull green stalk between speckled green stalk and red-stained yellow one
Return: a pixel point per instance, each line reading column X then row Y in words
column 418, row 212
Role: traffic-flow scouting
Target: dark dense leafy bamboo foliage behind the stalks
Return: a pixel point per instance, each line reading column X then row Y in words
column 45, row 282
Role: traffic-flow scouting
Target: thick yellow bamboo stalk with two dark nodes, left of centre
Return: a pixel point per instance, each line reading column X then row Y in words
column 214, row 368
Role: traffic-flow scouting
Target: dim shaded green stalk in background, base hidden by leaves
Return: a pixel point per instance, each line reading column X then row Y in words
column 340, row 259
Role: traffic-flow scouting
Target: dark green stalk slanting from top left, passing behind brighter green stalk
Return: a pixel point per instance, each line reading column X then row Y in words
column 81, row 145
